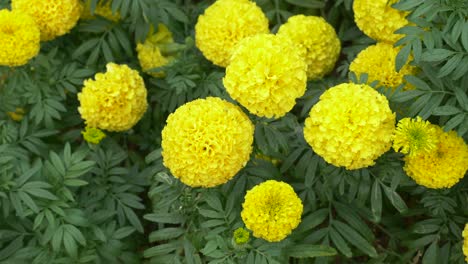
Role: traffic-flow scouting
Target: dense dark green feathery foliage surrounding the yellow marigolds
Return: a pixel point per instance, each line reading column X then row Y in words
column 63, row 200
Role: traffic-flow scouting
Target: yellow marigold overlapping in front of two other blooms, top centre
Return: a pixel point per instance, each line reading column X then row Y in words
column 266, row 75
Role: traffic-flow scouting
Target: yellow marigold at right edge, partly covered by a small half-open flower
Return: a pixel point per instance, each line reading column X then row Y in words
column 442, row 167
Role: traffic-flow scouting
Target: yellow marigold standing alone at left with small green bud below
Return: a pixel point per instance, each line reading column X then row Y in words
column 115, row 100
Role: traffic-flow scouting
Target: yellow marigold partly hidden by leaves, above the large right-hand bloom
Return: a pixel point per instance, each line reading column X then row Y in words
column 378, row 61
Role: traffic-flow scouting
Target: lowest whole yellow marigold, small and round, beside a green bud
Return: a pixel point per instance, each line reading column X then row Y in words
column 272, row 210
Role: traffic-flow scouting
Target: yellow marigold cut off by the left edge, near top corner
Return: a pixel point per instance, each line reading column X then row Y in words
column 19, row 36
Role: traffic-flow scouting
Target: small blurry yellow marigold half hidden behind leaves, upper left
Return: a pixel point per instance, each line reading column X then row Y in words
column 151, row 53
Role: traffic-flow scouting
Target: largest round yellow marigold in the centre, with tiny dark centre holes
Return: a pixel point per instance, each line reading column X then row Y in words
column 206, row 142
